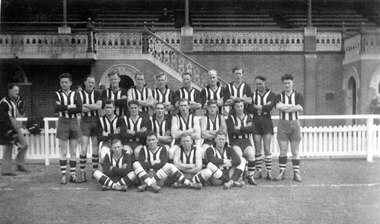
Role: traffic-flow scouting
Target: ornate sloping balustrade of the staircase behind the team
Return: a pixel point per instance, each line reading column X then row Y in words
column 177, row 60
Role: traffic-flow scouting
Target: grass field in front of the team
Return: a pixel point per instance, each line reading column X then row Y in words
column 332, row 191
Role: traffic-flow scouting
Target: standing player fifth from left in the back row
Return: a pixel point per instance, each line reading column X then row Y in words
column 162, row 93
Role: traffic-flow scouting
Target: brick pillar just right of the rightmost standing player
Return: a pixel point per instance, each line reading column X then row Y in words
column 310, row 75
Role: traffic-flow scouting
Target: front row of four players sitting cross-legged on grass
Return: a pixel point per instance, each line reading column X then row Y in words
column 152, row 169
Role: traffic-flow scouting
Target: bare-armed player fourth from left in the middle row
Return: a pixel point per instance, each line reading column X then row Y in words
column 184, row 123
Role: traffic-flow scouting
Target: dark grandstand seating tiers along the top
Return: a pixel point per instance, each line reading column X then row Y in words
column 208, row 14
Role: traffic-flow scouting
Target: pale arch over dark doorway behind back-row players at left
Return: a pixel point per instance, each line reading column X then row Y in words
column 126, row 70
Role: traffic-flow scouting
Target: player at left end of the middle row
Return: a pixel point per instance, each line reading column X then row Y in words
column 109, row 126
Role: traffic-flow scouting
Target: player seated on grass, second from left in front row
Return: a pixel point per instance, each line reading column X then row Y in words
column 152, row 167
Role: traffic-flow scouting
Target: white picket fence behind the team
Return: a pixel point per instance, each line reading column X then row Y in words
column 321, row 141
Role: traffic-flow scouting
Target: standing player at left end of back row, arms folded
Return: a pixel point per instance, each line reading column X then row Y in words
column 68, row 103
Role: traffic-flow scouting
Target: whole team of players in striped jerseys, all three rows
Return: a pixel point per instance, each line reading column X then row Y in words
column 137, row 146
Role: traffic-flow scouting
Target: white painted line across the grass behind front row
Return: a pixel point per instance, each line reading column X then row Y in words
column 260, row 185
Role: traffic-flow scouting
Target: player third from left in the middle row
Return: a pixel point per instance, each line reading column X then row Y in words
column 161, row 125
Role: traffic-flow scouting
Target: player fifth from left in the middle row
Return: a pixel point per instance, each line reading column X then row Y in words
column 211, row 123
